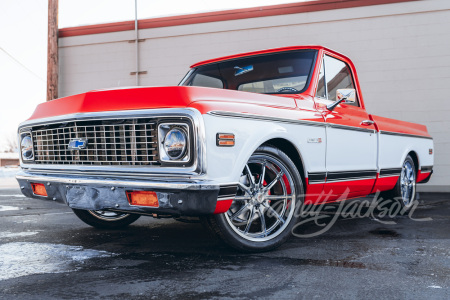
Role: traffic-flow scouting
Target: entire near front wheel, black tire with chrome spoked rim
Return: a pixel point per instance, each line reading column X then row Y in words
column 263, row 212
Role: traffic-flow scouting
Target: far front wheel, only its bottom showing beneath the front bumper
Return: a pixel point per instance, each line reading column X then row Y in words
column 105, row 219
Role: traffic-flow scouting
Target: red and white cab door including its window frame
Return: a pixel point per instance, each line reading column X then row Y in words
column 351, row 150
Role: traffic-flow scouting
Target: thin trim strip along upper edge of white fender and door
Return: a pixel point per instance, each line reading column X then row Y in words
column 291, row 121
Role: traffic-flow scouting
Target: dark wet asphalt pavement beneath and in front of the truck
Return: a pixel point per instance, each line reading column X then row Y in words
column 47, row 253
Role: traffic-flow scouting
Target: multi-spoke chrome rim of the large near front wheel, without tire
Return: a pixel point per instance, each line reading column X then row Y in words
column 265, row 204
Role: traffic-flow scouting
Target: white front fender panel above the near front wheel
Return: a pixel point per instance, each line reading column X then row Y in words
column 225, row 164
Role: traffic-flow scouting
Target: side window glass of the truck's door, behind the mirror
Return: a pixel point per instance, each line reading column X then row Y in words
column 338, row 76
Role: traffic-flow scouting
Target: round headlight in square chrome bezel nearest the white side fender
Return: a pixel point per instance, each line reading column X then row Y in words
column 174, row 142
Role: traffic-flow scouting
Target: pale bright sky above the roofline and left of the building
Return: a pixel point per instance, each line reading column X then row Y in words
column 23, row 42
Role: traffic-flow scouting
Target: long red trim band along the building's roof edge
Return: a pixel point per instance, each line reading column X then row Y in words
column 226, row 15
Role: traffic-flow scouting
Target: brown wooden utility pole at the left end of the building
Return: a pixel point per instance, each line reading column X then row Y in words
column 52, row 51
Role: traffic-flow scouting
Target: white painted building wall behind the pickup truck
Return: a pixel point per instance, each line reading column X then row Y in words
column 401, row 51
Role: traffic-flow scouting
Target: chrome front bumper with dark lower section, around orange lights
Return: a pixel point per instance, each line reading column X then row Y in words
column 186, row 197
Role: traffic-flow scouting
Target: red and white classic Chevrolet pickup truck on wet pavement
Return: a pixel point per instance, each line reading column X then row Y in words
column 243, row 142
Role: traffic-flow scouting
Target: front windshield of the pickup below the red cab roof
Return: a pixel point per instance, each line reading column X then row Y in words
column 280, row 73
